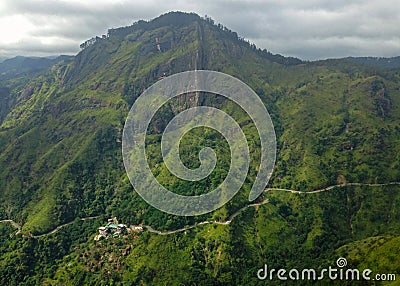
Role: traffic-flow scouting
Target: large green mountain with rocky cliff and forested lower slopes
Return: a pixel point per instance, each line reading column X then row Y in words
column 334, row 193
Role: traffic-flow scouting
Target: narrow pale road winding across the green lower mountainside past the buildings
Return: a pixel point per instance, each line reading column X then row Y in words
column 226, row 222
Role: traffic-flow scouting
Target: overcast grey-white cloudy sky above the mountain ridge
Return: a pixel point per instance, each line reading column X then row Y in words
column 308, row 29
